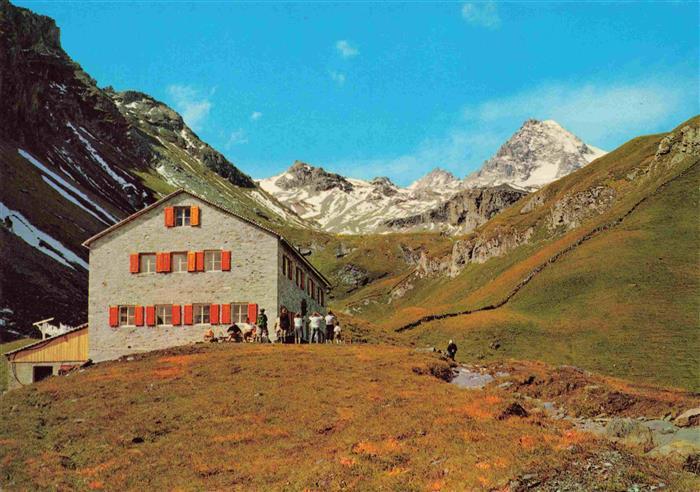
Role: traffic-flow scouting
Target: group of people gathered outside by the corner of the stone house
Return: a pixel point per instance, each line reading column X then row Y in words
column 300, row 328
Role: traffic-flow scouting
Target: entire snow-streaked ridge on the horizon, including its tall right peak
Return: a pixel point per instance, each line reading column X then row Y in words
column 538, row 153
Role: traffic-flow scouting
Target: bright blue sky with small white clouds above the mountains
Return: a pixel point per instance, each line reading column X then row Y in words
column 392, row 89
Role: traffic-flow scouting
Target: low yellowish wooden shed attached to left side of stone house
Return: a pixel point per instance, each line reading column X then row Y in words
column 49, row 357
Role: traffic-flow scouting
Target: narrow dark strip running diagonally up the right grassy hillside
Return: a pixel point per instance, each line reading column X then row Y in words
column 528, row 278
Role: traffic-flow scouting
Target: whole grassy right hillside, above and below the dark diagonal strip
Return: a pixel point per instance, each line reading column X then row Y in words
column 623, row 303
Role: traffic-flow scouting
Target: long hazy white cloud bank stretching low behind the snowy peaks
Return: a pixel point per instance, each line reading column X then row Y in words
column 604, row 114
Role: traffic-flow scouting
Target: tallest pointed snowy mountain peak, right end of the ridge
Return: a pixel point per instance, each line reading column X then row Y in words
column 538, row 153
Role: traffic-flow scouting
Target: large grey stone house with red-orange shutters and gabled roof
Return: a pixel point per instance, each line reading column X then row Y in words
column 168, row 273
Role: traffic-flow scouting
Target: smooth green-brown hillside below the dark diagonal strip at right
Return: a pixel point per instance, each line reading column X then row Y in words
column 624, row 303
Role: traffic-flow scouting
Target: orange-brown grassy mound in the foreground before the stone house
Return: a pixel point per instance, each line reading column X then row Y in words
column 259, row 417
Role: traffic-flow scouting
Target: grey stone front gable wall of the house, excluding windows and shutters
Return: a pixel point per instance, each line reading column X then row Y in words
column 253, row 276
